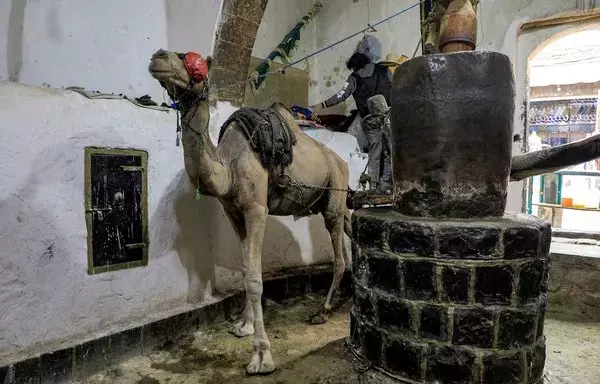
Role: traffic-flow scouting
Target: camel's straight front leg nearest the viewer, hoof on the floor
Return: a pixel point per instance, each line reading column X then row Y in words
column 262, row 361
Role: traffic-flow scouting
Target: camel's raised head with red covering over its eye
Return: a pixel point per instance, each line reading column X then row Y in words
column 181, row 74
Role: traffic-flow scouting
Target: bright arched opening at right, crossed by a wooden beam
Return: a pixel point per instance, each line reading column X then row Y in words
column 563, row 86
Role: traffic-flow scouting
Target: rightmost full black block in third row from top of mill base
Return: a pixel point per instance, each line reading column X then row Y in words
column 517, row 329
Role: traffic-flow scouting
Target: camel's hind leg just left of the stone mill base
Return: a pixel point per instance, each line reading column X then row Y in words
column 335, row 226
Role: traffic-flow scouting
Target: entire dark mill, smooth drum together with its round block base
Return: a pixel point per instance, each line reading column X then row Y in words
column 448, row 288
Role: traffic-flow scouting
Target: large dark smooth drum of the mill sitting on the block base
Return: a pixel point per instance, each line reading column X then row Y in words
column 452, row 119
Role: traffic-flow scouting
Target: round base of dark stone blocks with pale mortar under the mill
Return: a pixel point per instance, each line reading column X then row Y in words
column 450, row 301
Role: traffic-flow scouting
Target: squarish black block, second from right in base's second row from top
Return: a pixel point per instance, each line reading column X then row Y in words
column 493, row 285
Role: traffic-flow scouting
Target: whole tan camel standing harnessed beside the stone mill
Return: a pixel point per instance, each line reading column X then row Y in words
column 316, row 181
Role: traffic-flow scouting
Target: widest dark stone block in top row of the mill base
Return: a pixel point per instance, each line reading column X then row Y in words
column 468, row 243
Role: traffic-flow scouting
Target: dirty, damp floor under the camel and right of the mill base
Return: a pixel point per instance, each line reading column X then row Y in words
column 309, row 354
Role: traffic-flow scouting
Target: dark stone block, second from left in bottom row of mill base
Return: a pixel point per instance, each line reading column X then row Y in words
column 404, row 358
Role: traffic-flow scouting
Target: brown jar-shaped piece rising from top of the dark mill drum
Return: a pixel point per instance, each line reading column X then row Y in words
column 458, row 27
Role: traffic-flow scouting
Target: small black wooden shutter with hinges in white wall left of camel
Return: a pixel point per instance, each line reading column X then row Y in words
column 116, row 206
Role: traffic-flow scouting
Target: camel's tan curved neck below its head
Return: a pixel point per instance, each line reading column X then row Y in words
column 202, row 163
